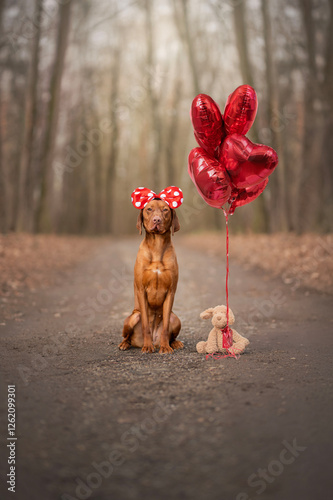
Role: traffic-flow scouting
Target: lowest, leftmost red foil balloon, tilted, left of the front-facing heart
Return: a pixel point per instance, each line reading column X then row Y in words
column 210, row 178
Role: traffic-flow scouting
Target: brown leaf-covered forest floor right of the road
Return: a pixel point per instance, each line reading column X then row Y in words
column 305, row 260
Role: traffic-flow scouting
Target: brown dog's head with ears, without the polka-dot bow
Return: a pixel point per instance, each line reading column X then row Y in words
column 158, row 218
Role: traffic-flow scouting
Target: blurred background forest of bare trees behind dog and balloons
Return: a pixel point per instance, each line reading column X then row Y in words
column 95, row 100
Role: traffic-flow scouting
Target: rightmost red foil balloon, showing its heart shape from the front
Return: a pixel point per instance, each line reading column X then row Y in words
column 248, row 164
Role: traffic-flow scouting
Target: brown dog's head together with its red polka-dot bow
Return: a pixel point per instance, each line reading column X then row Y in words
column 157, row 211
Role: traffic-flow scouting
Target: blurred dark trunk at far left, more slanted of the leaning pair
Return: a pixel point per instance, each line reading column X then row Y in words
column 41, row 220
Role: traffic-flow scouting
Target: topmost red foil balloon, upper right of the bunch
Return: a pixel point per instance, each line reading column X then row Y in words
column 240, row 110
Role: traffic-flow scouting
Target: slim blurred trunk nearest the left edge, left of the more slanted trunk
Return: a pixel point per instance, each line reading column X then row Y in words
column 25, row 210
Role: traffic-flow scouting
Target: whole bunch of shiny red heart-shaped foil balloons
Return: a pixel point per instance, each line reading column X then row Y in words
column 228, row 167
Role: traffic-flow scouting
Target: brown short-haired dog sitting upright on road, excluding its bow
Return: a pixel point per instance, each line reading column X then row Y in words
column 152, row 322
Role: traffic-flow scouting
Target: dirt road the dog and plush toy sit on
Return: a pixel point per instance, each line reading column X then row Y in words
column 94, row 422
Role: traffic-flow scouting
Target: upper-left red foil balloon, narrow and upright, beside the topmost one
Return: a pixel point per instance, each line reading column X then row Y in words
column 207, row 123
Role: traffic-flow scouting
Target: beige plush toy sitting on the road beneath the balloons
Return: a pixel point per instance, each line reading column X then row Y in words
column 214, row 341
